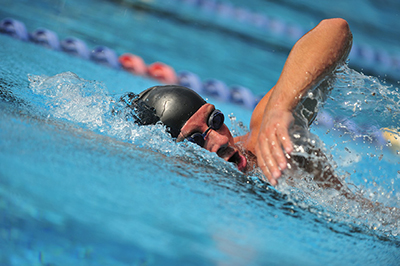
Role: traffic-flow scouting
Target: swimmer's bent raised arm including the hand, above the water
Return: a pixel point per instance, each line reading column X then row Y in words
column 313, row 56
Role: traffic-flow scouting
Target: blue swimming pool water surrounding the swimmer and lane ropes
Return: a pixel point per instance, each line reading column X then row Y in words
column 79, row 187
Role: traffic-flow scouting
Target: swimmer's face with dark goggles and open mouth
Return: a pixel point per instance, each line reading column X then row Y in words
column 219, row 140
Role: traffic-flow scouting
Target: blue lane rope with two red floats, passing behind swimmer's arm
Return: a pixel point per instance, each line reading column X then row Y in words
column 163, row 73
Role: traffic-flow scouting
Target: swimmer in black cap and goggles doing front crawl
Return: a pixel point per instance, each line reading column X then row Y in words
column 268, row 145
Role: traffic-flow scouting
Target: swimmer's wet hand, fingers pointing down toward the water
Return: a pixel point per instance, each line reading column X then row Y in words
column 273, row 140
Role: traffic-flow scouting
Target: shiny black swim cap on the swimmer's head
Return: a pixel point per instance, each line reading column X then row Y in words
column 173, row 104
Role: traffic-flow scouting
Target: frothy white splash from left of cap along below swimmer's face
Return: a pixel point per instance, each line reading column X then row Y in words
column 86, row 103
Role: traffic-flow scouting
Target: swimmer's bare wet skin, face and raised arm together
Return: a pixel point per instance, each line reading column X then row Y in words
column 315, row 56
